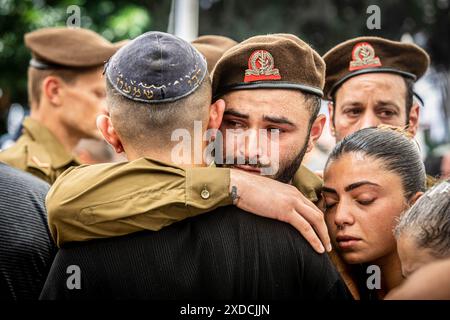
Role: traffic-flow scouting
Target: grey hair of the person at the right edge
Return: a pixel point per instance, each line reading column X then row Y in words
column 427, row 222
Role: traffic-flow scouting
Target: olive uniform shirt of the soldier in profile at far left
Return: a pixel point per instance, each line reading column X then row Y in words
column 38, row 152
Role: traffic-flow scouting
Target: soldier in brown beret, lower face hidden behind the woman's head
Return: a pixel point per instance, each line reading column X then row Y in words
column 369, row 81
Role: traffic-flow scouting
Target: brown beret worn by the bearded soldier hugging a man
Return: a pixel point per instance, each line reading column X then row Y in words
column 277, row 61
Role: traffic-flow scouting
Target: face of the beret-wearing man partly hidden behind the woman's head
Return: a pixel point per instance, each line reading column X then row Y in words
column 369, row 100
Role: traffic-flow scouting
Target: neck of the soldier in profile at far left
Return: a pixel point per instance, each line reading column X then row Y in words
column 68, row 140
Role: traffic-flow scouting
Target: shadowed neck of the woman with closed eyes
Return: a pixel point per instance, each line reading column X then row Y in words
column 391, row 273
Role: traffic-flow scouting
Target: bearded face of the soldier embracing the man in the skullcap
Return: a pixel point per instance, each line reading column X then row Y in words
column 268, row 128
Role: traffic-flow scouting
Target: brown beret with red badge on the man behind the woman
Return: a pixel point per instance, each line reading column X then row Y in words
column 369, row 55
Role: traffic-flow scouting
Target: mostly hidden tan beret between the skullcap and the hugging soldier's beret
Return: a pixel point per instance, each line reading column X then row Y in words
column 212, row 48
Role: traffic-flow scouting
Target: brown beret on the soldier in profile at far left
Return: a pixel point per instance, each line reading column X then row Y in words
column 68, row 48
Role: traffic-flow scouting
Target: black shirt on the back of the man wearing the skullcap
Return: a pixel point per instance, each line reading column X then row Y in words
column 225, row 254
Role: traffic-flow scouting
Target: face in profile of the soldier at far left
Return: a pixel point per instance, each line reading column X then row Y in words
column 84, row 100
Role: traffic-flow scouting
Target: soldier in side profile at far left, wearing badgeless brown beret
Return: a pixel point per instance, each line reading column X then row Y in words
column 66, row 92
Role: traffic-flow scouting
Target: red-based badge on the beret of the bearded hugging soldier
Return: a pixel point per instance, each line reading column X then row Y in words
column 261, row 66
